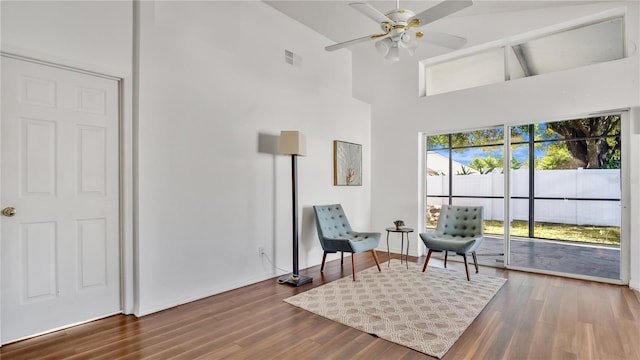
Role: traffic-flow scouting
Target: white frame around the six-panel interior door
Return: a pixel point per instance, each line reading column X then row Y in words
column 125, row 165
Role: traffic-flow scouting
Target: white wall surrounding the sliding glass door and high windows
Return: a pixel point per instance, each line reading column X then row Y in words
column 399, row 116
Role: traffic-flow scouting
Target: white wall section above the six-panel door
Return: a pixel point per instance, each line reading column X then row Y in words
column 94, row 35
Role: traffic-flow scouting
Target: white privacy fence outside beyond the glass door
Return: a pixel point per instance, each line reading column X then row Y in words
column 563, row 184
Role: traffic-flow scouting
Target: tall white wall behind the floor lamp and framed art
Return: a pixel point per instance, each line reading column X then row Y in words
column 215, row 92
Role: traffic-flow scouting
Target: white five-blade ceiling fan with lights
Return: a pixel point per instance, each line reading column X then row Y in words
column 398, row 28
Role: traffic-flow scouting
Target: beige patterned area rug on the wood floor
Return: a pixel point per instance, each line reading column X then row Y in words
column 426, row 311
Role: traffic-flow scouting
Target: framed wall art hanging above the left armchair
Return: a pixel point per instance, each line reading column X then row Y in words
column 347, row 164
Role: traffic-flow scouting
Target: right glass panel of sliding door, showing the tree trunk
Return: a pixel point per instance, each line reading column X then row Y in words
column 565, row 211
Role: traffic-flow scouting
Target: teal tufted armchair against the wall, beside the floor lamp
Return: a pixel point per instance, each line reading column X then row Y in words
column 335, row 234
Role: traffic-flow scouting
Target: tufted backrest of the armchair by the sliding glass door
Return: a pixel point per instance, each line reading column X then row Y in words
column 462, row 221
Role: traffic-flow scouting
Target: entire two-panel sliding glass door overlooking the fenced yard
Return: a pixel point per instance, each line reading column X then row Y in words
column 563, row 196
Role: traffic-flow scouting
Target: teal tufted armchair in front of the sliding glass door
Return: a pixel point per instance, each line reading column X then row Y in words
column 460, row 229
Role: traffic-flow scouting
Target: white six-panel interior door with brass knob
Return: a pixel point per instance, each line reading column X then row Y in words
column 60, row 251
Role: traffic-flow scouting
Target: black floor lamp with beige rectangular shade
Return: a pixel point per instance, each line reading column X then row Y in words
column 294, row 143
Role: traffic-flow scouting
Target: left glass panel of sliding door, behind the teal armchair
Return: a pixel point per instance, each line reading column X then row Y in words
column 467, row 169
